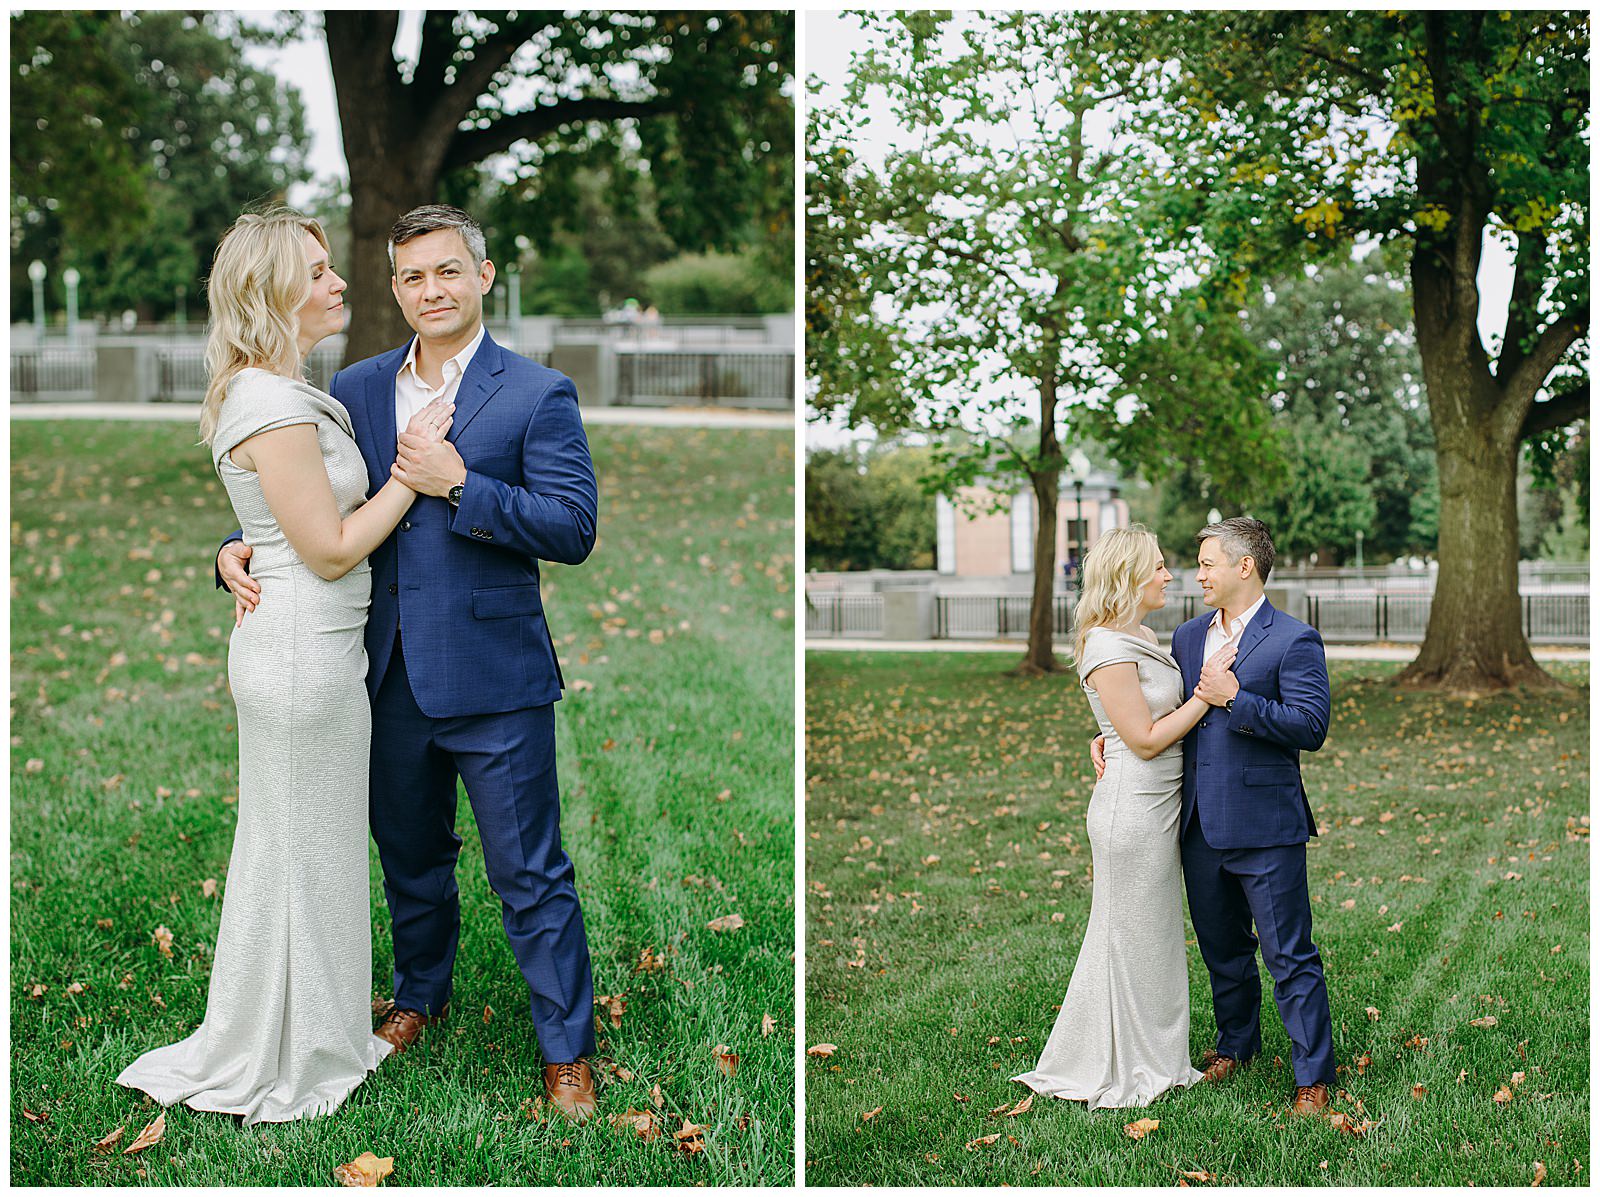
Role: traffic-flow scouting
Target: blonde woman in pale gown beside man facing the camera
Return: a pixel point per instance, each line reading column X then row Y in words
column 287, row 1030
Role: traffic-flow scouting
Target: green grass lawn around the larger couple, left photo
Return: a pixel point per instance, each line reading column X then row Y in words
column 676, row 748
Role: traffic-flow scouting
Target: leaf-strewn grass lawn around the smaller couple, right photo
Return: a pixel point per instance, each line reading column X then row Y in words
column 948, row 889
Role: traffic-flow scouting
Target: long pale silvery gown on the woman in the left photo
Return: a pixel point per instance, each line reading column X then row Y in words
column 287, row 1031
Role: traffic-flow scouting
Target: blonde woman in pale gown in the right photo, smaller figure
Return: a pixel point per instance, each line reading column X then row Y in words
column 1122, row 1038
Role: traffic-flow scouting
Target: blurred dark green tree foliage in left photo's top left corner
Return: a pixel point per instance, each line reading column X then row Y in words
column 143, row 137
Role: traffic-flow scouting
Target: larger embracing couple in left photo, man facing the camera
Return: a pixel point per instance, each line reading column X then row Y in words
column 390, row 639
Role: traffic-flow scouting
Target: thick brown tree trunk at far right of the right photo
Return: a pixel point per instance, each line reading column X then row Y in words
column 1474, row 641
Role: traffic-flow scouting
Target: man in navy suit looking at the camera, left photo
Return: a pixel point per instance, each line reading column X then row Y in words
column 462, row 668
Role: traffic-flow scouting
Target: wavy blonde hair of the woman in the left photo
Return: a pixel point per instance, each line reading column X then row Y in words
column 257, row 289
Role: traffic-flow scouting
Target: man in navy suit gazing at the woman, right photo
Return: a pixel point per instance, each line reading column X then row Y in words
column 1246, row 817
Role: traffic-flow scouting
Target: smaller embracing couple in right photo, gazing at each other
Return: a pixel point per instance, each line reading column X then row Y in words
column 1199, row 775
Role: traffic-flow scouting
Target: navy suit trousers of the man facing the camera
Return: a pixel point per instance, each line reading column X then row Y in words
column 508, row 764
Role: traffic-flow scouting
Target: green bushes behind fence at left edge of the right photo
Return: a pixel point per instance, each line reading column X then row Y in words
column 868, row 510
